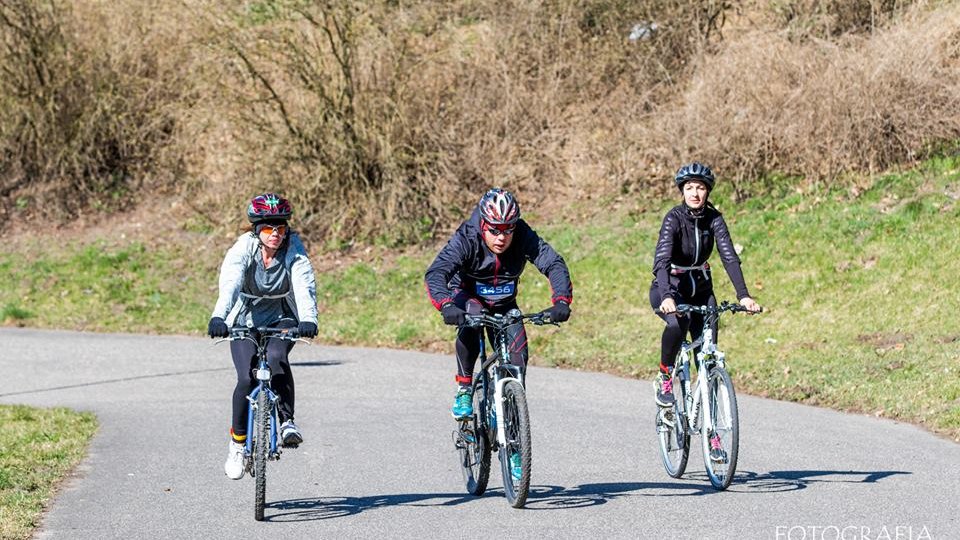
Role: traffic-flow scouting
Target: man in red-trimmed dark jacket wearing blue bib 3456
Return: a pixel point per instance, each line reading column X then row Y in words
column 479, row 269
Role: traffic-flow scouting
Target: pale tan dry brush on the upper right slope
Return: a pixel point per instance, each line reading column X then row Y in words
column 765, row 104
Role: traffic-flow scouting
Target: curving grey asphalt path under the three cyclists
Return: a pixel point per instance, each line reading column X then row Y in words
column 378, row 461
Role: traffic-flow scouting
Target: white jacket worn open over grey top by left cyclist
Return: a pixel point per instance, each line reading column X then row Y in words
column 302, row 298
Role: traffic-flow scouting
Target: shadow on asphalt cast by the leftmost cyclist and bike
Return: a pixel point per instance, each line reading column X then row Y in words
column 321, row 508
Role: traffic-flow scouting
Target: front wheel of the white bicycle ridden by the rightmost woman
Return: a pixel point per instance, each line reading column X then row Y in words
column 724, row 431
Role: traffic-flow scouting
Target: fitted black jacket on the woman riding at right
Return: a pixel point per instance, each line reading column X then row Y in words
column 687, row 240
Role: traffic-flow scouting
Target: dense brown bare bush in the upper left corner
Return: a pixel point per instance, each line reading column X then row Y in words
column 85, row 120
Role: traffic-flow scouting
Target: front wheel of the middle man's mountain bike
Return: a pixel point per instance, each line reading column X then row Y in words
column 516, row 423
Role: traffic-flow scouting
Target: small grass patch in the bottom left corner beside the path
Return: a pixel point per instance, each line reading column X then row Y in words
column 38, row 447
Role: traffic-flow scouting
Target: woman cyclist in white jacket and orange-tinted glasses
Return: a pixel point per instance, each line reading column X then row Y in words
column 266, row 280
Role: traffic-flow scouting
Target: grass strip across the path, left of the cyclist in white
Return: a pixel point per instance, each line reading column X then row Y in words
column 106, row 286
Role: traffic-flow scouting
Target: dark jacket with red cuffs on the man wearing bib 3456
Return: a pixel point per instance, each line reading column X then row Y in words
column 467, row 264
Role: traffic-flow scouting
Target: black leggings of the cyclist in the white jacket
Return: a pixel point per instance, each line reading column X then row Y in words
column 245, row 361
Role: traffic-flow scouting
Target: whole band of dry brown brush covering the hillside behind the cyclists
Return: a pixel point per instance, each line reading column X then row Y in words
column 383, row 122
